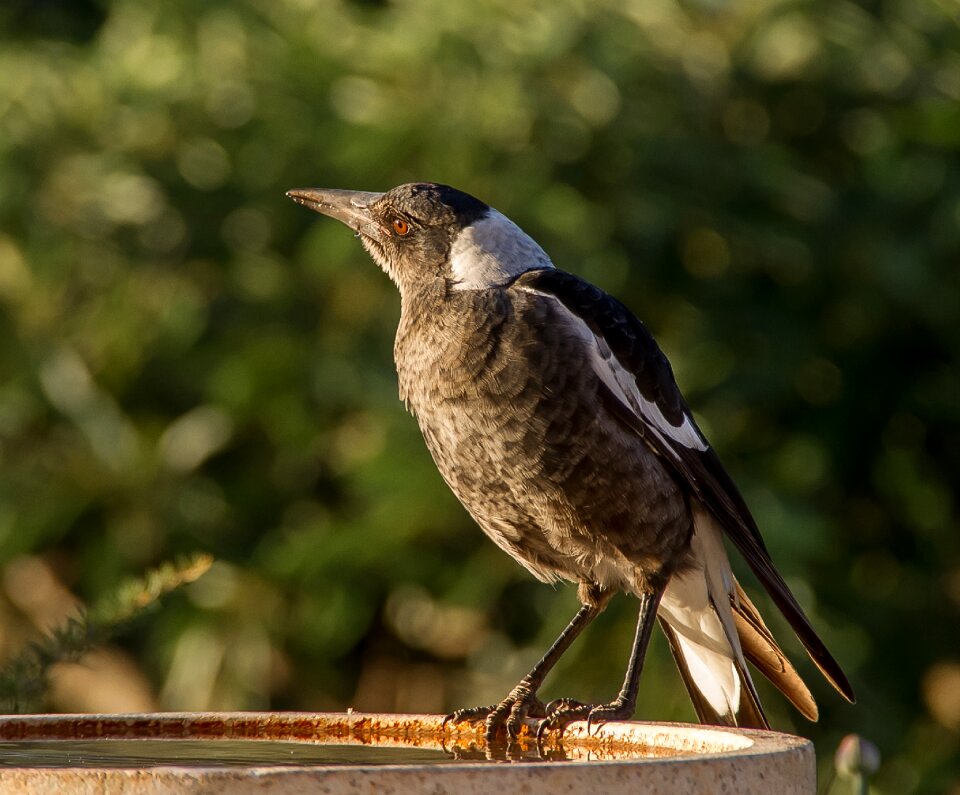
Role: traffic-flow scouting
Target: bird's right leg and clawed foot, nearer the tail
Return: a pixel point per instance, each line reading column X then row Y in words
column 564, row 711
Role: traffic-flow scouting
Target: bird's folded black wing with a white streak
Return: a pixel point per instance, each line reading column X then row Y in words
column 637, row 383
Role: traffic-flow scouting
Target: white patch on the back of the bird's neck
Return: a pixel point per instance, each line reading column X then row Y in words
column 492, row 251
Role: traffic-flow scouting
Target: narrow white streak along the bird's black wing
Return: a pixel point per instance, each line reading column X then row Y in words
column 623, row 384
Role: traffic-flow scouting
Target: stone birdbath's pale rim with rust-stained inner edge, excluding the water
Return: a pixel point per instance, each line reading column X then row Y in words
column 612, row 756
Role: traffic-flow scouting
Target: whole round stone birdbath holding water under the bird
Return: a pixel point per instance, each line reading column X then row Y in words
column 247, row 752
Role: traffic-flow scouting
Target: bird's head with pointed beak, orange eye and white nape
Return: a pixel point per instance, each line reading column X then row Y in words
column 425, row 231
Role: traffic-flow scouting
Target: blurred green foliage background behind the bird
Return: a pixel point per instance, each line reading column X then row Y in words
column 190, row 362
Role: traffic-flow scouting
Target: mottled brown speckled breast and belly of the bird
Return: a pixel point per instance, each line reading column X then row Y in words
column 555, row 481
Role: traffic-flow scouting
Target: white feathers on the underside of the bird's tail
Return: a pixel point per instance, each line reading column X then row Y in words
column 696, row 606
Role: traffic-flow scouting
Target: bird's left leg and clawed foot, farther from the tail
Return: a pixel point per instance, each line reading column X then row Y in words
column 522, row 701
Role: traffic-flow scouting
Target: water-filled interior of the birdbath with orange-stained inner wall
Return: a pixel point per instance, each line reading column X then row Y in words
column 282, row 740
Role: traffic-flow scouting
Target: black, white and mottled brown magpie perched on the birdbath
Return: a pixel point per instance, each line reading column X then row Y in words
column 556, row 420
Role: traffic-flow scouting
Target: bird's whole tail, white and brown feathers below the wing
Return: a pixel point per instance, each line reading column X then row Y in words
column 713, row 629
